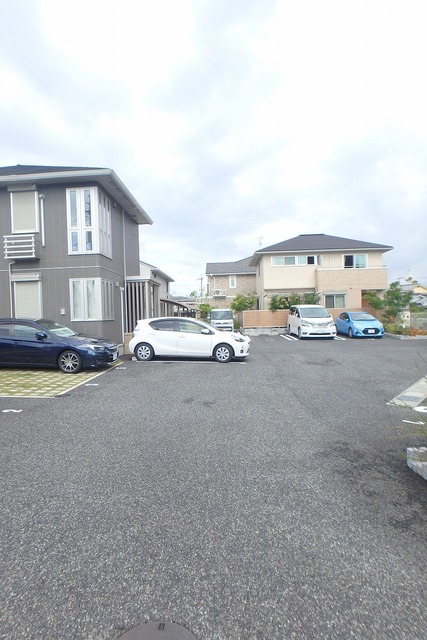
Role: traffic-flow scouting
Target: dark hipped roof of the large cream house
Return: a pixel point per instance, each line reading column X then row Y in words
column 317, row 242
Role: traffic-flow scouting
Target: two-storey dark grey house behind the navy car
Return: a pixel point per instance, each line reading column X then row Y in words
column 71, row 242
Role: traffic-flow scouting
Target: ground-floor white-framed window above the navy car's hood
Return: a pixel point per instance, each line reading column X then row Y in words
column 91, row 299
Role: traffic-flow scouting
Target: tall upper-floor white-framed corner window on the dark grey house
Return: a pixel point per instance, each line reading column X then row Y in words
column 89, row 221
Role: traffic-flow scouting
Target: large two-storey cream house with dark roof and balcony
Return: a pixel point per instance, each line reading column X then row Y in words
column 339, row 270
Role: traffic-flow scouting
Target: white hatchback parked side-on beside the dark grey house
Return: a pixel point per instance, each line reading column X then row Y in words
column 185, row 337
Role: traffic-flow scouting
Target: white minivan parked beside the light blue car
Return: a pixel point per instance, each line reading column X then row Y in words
column 311, row 321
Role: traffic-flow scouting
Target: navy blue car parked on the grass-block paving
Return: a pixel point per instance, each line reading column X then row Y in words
column 45, row 343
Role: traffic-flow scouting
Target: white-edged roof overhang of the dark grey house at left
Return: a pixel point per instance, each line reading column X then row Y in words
column 106, row 178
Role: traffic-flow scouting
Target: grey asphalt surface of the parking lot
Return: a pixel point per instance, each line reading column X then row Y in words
column 260, row 499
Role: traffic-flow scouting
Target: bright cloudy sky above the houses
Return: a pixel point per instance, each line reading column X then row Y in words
column 236, row 124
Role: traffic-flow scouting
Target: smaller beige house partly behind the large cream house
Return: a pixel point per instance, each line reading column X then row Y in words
column 226, row 279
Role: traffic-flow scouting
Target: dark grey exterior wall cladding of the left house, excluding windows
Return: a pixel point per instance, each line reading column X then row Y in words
column 56, row 267
